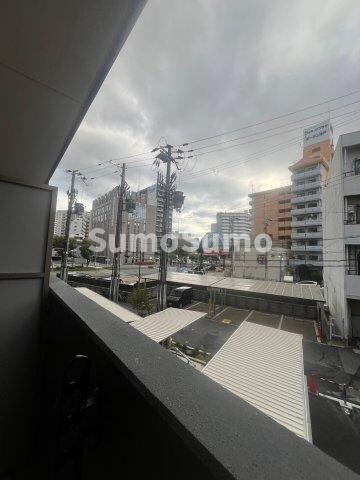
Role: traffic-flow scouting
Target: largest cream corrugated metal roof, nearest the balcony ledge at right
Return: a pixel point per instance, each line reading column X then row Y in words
column 264, row 366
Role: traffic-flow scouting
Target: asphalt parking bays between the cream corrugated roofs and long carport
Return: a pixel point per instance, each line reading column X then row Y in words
column 210, row 333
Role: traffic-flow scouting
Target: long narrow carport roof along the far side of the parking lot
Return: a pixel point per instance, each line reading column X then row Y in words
column 267, row 287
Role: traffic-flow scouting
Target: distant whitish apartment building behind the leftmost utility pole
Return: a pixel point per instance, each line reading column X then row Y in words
column 79, row 225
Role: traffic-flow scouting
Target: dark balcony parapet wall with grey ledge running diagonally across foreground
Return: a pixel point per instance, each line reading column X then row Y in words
column 157, row 417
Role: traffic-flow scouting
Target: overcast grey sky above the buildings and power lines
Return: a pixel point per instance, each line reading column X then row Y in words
column 193, row 69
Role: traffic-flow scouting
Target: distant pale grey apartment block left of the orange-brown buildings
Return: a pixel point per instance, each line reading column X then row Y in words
column 228, row 223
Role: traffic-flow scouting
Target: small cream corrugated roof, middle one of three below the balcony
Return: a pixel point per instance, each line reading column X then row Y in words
column 162, row 325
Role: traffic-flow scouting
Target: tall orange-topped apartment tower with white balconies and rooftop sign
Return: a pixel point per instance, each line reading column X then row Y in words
column 308, row 177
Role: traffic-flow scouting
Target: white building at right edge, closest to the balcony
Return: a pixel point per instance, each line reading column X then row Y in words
column 342, row 237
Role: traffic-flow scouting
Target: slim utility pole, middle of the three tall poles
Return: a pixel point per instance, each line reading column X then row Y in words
column 115, row 274
